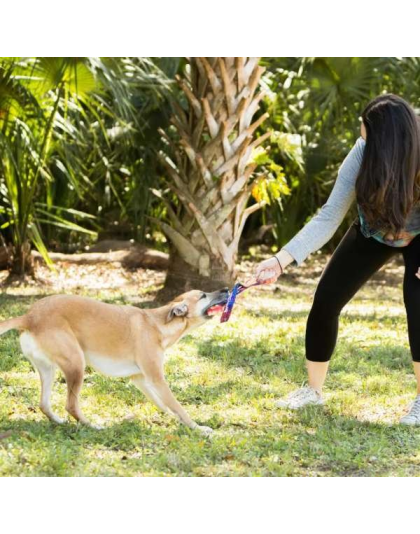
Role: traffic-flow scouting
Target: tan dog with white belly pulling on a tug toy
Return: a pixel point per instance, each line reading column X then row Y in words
column 69, row 332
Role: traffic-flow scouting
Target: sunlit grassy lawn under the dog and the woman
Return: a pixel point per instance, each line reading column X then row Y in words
column 227, row 376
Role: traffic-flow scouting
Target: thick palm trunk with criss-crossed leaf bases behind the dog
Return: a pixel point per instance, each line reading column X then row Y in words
column 209, row 169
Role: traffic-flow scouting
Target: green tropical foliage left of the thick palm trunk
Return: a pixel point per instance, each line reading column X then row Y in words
column 68, row 127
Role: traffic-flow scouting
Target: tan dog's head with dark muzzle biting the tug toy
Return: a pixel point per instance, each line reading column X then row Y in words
column 196, row 307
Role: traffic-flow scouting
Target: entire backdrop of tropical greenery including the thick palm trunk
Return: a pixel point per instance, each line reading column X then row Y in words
column 81, row 149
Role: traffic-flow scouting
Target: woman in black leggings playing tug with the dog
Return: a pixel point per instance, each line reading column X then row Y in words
column 382, row 172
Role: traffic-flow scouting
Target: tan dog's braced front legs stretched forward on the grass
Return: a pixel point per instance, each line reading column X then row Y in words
column 158, row 391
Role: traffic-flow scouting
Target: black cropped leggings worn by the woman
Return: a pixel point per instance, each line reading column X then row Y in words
column 354, row 261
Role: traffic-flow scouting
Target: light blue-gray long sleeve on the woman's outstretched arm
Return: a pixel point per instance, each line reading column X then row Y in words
column 320, row 229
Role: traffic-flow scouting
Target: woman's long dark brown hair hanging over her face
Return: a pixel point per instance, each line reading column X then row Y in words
column 388, row 183
